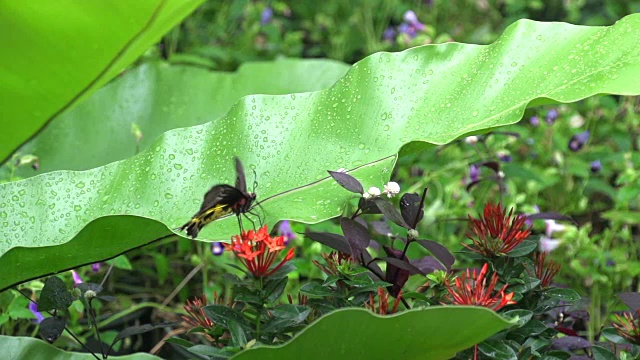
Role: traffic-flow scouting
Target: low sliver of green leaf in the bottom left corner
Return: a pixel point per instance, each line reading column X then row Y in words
column 14, row 347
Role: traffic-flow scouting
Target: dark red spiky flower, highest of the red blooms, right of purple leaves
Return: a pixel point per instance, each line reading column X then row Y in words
column 496, row 233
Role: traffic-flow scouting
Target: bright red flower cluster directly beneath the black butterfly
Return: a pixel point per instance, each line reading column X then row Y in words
column 258, row 251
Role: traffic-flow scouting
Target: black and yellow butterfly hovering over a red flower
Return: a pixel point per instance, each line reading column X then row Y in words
column 221, row 200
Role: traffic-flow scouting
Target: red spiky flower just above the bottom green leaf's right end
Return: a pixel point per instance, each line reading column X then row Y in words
column 472, row 289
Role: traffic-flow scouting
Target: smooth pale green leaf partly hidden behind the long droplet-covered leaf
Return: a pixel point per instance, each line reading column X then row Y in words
column 157, row 98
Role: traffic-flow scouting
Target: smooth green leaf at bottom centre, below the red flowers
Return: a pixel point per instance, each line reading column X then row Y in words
column 433, row 333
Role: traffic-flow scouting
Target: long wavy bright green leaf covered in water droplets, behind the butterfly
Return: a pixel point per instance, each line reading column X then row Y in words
column 432, row 94
